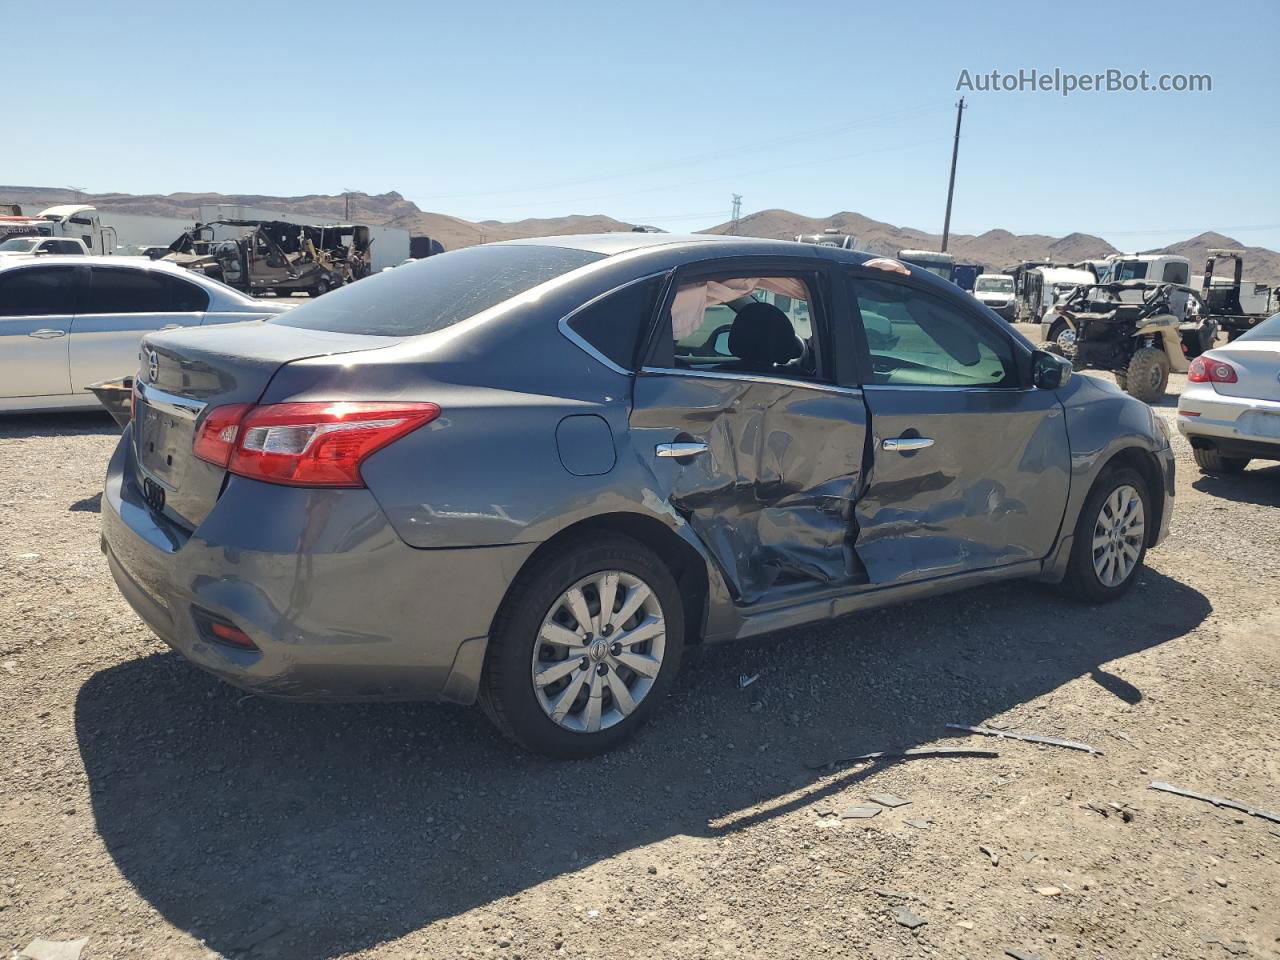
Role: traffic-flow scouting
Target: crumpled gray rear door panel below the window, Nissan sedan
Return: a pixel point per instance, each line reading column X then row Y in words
column 772, row 497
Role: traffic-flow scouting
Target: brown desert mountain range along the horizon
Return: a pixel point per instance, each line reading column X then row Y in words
column 994, row 249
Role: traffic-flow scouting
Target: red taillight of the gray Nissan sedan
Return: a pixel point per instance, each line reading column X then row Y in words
column 305, row 445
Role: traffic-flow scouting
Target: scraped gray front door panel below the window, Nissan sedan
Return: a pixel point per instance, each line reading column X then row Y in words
column 990, row 491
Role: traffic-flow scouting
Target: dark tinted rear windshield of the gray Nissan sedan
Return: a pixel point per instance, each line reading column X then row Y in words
column 429, row 295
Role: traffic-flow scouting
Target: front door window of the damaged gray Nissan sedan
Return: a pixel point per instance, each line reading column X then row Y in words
column 917, row 340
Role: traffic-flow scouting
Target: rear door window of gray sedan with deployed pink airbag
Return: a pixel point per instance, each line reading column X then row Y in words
column 747, row 324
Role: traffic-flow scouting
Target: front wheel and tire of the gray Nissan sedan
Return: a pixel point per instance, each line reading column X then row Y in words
column 1110, row 537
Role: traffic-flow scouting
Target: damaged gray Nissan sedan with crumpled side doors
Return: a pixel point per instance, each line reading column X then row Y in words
column 532, row 473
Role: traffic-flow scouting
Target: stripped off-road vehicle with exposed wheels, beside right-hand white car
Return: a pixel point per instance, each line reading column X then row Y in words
column 1141, row 344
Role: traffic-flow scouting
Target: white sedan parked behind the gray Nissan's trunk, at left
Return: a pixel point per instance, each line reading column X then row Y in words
column 70, row 322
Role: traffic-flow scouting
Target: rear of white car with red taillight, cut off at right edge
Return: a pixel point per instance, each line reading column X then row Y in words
column 1231, row 410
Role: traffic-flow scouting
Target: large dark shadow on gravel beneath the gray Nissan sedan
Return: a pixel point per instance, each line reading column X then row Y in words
column 310, row 831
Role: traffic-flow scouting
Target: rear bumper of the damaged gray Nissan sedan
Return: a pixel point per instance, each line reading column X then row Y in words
column 337, row 605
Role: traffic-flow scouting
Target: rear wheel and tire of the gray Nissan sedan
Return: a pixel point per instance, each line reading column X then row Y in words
column 564, row 678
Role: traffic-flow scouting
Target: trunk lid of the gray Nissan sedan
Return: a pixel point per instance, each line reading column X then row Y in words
column 186, row 373
